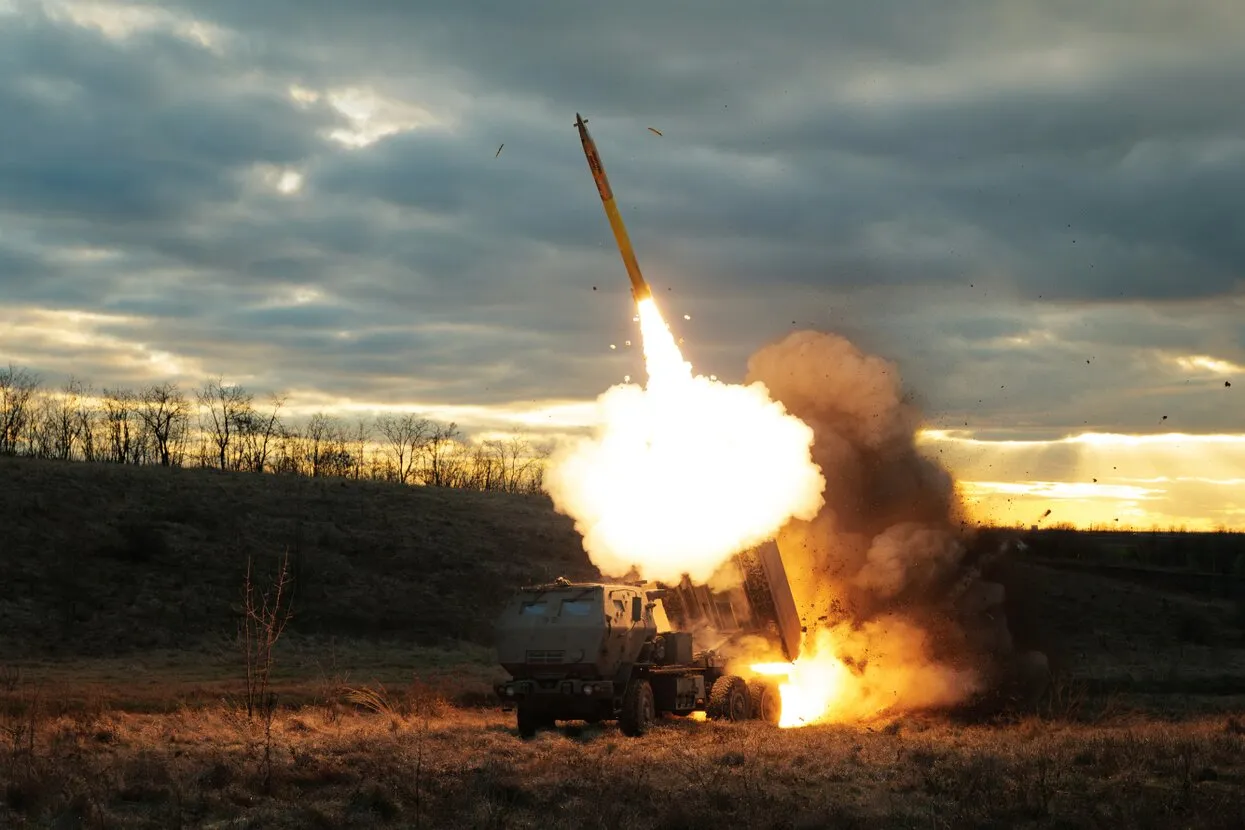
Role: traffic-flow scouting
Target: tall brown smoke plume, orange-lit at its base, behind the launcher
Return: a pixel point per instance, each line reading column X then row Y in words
column 883, row 574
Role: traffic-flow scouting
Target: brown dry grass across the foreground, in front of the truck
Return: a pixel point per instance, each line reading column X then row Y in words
column 418, row 763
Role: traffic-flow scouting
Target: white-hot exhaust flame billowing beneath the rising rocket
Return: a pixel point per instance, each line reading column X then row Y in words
column 687, row 472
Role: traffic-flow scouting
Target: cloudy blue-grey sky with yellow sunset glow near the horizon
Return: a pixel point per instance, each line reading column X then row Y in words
column 1031, row 208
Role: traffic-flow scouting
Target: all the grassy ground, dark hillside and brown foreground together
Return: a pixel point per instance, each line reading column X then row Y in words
column 121, row 683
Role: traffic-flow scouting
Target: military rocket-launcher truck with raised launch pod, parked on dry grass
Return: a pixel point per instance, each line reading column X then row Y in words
column 634, row 651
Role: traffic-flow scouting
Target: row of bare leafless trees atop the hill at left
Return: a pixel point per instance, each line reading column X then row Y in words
column 225, row 427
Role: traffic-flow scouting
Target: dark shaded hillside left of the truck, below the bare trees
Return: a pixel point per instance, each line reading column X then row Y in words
column 104, row 561
